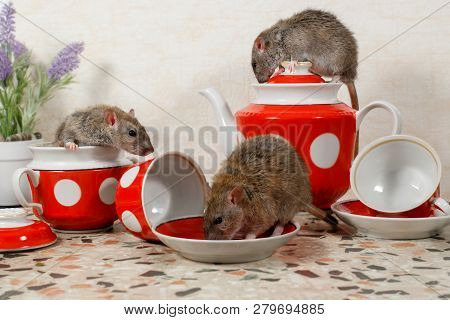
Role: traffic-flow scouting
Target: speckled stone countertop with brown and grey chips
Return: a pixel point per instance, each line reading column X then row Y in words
column 314, row 265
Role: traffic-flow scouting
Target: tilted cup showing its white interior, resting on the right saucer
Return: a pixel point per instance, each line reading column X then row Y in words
column 399, row 175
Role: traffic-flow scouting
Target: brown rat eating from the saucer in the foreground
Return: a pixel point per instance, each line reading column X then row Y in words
column 262, row 184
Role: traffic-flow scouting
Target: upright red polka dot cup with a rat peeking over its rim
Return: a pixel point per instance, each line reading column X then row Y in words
column 73, row 191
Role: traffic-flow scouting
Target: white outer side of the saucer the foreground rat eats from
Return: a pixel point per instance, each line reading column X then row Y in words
column 227, row 251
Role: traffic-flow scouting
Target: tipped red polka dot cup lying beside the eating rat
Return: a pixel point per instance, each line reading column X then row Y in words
column 165, row 190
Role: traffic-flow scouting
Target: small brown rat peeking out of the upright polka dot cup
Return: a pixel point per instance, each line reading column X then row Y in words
column 104, row 125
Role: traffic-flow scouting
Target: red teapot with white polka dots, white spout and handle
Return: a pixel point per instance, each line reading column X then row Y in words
column 304, row 109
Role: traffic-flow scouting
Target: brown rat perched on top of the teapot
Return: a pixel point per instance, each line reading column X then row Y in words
column 311, row 35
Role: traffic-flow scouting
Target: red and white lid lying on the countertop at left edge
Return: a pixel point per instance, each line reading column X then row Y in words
column 18, row 234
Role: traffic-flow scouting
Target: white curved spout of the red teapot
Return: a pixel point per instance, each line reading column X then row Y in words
column 229, row 136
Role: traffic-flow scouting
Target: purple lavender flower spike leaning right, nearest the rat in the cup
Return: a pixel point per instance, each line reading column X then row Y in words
column 66, row 61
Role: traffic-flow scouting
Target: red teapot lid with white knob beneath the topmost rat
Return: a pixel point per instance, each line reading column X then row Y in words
column 295, row 72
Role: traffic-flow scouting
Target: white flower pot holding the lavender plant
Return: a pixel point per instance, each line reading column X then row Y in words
column 13, row 155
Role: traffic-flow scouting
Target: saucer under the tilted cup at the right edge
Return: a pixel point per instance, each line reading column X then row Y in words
column 388, row 228
